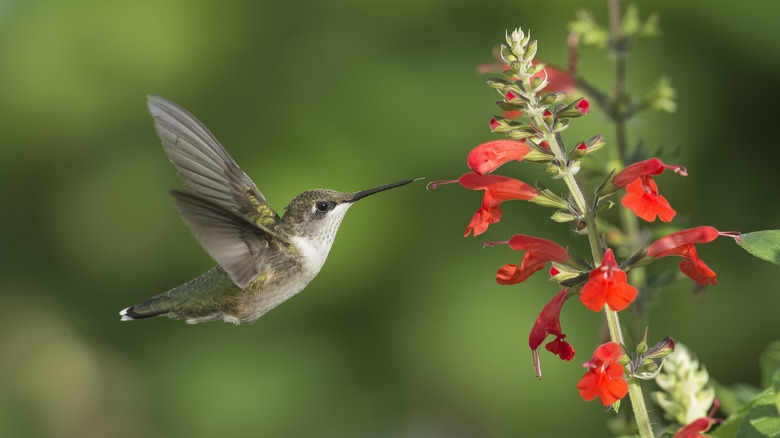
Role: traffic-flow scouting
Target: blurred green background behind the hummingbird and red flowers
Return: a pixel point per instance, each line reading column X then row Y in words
column 404, row 333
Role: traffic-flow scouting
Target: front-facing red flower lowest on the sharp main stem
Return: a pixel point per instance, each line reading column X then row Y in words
column 604, row 378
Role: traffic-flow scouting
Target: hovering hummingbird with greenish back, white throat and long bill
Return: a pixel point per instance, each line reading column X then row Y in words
column 262, row 259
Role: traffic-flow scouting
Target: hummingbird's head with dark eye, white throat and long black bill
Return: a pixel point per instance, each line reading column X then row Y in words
column 317, row 214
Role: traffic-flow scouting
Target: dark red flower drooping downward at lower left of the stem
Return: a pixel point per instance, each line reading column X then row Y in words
column 548, row 323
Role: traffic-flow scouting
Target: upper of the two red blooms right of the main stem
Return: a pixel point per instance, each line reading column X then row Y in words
column 642, row 195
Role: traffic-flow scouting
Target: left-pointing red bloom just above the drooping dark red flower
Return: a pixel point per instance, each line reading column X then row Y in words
column 539, row 251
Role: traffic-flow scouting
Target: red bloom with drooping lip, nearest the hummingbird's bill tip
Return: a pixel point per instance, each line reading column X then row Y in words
column 497, row 190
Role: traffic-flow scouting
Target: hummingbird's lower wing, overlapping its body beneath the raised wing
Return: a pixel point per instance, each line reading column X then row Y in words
column 231, row 240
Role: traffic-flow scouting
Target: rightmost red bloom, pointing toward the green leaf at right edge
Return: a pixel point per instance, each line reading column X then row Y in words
column 682, row 243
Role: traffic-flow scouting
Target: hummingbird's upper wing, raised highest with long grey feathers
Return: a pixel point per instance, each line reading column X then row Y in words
column 204, row 166
